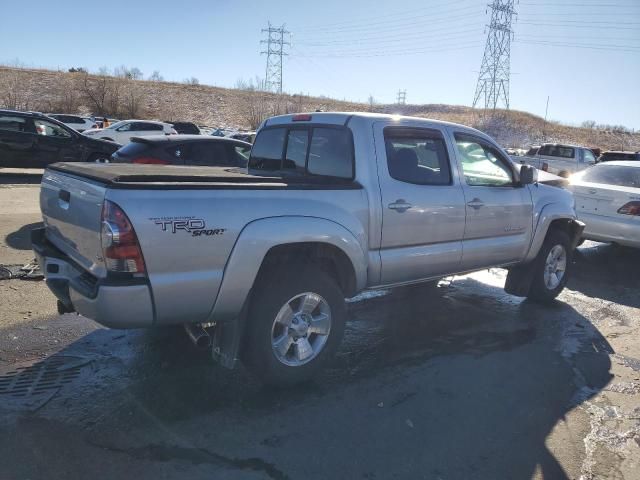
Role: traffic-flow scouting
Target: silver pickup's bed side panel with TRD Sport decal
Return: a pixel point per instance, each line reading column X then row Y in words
column 185, row 268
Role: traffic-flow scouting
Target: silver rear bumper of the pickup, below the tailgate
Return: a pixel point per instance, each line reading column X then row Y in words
column 115, row 303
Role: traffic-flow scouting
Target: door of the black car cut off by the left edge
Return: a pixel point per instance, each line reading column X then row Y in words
column 17, row 141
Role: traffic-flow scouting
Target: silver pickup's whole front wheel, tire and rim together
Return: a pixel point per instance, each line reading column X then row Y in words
column 551, row 267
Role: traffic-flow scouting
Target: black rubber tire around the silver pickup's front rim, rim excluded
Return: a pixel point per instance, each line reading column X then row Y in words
column 539, row 290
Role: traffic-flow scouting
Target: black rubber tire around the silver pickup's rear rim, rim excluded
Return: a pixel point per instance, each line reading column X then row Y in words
column 274, row 290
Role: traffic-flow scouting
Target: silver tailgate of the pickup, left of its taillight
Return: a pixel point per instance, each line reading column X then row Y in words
column 71, row 209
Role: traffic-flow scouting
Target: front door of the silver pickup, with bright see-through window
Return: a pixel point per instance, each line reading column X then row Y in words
column 499, row 210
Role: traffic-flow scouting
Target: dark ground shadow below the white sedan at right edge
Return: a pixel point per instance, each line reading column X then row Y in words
column 607, row 272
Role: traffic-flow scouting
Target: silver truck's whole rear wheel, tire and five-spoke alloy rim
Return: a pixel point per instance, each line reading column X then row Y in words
column 295, row 325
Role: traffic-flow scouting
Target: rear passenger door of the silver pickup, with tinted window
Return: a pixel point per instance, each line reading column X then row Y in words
column 422, row 203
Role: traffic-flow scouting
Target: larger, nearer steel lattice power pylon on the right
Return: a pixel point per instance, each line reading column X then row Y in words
column 493, row 80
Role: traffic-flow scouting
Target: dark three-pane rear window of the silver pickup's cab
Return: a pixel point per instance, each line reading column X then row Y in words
column 309, row 150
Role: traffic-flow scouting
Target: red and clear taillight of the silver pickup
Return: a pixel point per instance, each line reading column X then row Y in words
column 120, row 246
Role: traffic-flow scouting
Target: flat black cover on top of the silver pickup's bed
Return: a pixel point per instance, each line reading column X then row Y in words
column 130, row 176
